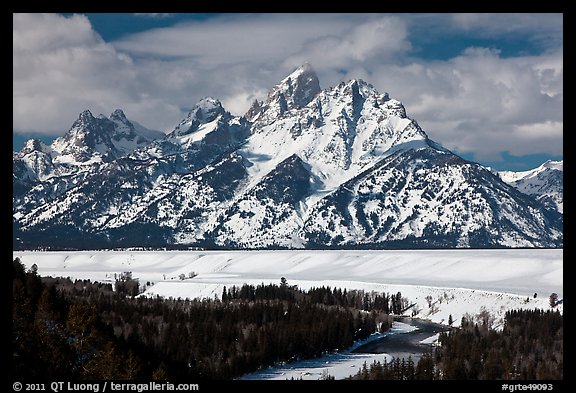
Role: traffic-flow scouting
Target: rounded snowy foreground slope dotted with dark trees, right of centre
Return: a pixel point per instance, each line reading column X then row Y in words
column 424, row 194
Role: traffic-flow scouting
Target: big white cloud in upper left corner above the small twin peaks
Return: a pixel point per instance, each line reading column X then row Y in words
column 62, row 67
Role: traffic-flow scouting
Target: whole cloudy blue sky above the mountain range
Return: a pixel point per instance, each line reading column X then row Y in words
column 487, row 86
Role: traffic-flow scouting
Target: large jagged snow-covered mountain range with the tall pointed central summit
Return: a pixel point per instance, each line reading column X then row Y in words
column 305, row 167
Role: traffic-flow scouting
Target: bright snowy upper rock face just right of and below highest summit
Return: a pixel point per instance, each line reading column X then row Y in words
column 339, row 132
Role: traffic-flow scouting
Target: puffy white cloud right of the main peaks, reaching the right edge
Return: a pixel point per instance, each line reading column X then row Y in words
column 481, row 103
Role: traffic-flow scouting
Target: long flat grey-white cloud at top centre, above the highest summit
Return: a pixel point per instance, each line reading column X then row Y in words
column 233, row 39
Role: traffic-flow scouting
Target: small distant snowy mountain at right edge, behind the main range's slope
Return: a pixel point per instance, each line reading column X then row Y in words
column 545, row 183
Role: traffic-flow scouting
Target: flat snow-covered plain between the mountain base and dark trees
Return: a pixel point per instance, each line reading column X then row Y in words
column 440, row 282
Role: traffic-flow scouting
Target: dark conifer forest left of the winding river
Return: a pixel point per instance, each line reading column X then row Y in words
column 86, row 330
